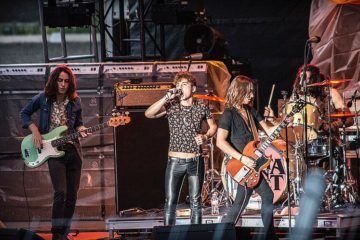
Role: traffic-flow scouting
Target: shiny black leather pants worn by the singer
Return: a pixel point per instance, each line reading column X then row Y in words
column 176, row 170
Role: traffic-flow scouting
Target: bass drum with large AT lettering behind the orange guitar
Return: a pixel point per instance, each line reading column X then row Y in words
column 275, row 175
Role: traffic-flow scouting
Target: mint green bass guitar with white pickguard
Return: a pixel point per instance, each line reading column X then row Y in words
column 34, row 157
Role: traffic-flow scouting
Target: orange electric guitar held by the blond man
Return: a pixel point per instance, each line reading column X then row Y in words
column 250, row 177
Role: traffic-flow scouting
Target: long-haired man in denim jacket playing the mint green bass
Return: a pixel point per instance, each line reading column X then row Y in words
column 59, row 105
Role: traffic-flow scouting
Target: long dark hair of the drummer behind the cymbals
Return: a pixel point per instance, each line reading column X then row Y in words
column 315, row 77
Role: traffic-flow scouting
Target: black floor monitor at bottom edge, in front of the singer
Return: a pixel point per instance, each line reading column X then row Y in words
column 219, row 231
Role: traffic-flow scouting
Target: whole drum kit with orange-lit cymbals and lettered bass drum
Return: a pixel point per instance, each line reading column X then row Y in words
column 341, row 187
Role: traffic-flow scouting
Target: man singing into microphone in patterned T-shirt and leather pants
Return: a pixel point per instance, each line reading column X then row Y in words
column 185, row 116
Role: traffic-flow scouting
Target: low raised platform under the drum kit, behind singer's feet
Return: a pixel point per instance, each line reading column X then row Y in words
column 330, row 224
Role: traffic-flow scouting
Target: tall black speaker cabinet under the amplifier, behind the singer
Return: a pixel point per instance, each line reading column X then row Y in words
column 141, row 149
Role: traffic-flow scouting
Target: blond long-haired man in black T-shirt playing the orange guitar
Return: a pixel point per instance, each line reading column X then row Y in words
column 237, row 127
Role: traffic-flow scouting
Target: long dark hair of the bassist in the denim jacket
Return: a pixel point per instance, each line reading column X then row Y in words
column 51, row 87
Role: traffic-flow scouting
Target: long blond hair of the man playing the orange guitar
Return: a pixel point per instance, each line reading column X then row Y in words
column 239, row 88
